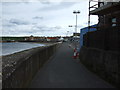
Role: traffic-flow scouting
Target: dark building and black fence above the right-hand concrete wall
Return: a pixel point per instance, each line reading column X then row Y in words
column 107, row 35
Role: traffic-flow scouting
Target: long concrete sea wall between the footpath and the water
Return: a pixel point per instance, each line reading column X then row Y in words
column 19, row 69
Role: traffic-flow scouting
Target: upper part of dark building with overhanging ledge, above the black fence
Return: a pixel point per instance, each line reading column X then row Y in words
column 108, row 13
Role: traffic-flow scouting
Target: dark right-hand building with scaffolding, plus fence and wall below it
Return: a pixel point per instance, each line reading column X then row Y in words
column 101, row 48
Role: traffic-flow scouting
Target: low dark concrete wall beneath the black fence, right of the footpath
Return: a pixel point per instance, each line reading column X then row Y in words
column 106, row 64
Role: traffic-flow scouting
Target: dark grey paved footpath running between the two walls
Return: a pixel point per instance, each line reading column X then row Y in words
column 62, row 71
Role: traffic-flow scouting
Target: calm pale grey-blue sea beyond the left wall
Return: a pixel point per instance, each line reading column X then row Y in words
column 9, row 48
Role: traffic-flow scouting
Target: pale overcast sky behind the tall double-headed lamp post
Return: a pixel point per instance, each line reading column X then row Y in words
column 43, row 17
